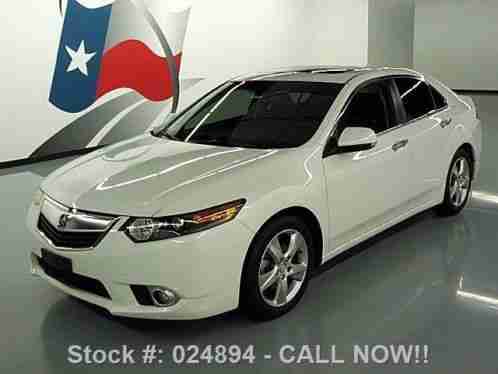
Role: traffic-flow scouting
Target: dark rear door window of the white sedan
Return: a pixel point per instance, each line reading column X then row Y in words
column 415, row 96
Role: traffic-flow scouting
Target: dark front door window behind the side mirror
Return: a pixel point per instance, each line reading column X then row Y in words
column 369, row 107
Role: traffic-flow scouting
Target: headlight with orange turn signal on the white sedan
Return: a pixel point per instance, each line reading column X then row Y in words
column 150, row 229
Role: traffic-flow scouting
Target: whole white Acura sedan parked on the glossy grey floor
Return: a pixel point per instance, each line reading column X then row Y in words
column 235, row 201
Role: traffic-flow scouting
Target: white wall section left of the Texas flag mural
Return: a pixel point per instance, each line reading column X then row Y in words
column 29, row 32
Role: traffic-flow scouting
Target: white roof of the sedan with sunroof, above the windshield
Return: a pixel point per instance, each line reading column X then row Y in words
column 326, row 74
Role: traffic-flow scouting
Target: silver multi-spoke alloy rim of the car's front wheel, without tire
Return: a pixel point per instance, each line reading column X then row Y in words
column 283, row 268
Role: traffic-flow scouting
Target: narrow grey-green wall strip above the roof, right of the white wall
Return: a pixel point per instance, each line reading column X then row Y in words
column 391, row 32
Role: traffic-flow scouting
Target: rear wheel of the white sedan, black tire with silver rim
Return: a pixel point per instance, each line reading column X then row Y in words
column 457, row 182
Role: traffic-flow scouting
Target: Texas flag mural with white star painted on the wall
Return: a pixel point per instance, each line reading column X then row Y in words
column 112, row 44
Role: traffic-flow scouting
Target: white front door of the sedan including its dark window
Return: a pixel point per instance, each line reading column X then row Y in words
column 366, row 188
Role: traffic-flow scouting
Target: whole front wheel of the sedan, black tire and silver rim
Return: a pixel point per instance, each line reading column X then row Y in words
column 264, row 275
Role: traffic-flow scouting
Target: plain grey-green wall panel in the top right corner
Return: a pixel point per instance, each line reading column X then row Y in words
column 455, row 41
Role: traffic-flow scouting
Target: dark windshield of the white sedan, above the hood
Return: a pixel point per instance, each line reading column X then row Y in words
column 256, row 114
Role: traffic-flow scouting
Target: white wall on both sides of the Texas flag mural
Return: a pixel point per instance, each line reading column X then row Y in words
column 224, row 38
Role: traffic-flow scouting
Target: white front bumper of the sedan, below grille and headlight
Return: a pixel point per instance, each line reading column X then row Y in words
column 203, row 269
